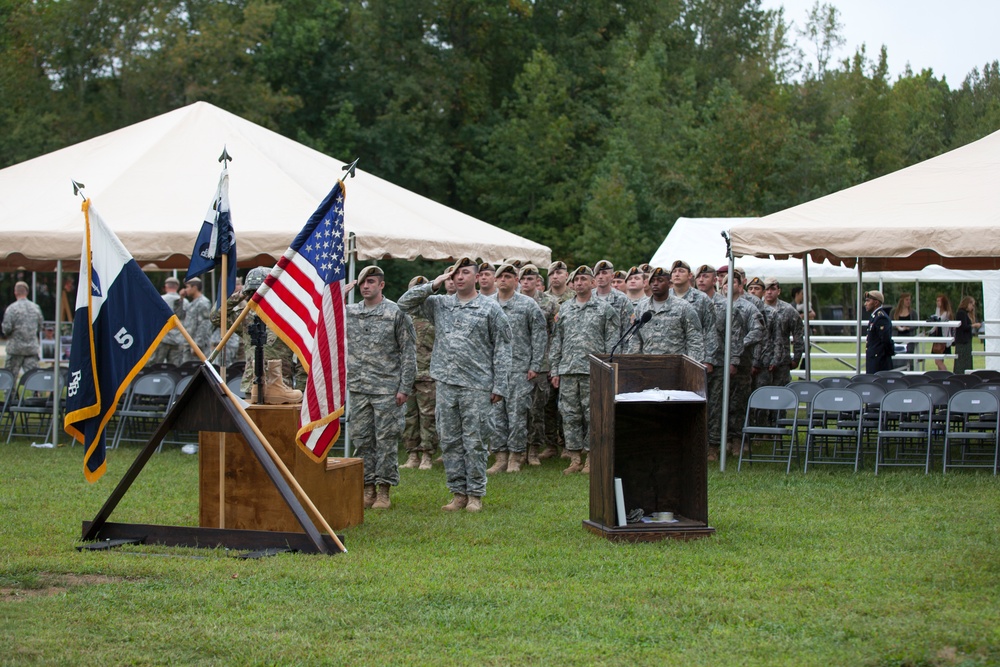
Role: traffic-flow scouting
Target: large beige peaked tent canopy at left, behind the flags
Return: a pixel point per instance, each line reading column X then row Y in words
column 154, row 181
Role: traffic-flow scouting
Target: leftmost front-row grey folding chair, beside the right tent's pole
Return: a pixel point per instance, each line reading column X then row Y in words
column 766, row 409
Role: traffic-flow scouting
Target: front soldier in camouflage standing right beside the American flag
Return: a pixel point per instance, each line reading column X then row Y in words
column 381, row 366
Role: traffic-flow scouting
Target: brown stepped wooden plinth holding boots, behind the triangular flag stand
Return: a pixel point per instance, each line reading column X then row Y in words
column 252, row 501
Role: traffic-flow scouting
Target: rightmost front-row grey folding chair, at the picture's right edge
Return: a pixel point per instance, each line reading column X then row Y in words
column 973, row 427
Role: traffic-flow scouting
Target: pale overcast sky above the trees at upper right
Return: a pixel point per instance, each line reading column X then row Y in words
column 949, row 37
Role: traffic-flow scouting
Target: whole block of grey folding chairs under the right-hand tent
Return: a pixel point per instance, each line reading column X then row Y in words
column 903, row 421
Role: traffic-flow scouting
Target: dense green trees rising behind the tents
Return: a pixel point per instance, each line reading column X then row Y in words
column 586, row 125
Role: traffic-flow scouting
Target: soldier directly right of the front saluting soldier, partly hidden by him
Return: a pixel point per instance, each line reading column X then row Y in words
column 529, row 339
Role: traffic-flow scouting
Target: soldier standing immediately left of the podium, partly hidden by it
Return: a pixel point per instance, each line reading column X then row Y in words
column 585, row 325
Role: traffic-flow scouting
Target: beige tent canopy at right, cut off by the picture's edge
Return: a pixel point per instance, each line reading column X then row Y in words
column 945, row 210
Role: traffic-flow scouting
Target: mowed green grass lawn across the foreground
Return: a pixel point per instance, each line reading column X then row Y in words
column 829, row 568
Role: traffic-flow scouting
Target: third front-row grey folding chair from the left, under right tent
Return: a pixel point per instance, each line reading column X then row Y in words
column 906, row 417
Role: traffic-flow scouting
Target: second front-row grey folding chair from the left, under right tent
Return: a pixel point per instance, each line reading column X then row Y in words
column 834, row 434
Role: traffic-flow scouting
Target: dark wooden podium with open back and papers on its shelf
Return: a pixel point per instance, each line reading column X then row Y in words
column 659, row 450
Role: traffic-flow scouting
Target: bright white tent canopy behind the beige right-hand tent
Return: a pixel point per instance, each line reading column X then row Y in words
column 699, row 241
